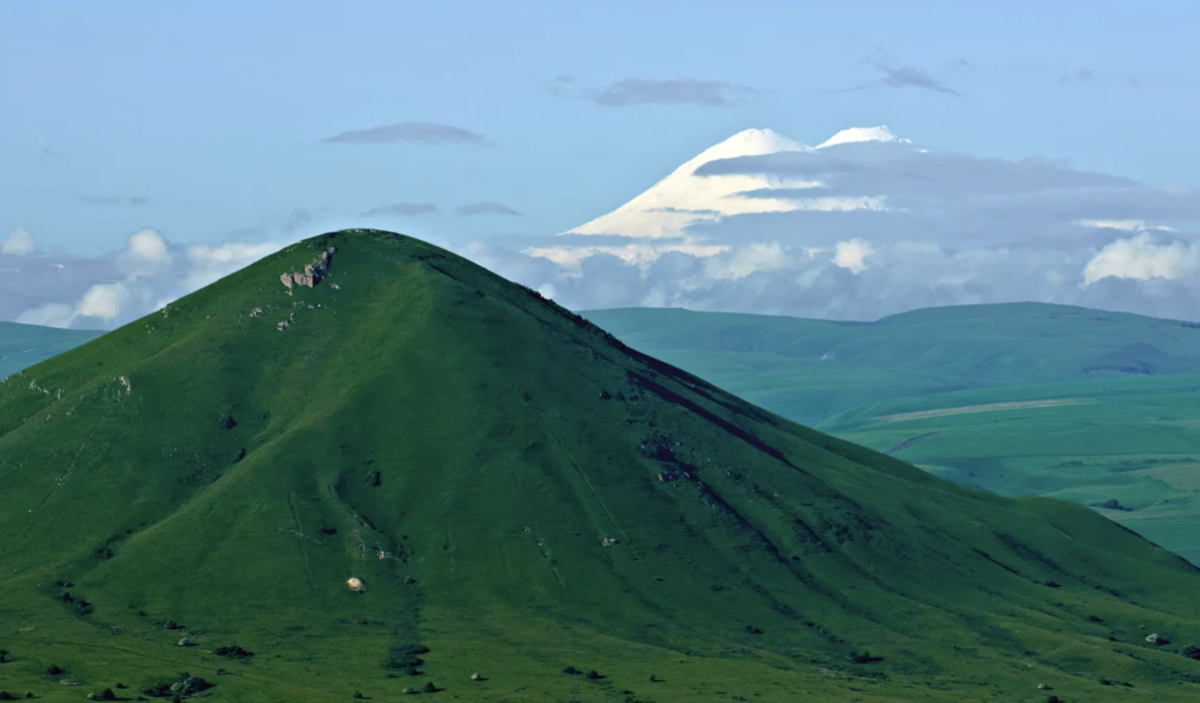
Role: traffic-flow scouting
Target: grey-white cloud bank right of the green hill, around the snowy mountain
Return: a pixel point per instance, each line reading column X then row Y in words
column 916, row 229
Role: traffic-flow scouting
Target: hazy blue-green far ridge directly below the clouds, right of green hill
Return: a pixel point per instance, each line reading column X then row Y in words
column 811, row 370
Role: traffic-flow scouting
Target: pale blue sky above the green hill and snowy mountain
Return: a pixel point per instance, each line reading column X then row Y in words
column 235, row 123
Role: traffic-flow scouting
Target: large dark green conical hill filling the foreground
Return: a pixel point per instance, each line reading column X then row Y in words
column 520, row 495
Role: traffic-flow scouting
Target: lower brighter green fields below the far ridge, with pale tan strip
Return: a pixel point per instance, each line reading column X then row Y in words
column 1133, row 441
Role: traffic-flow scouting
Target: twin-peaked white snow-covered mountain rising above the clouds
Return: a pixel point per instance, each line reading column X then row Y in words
column 661, row 217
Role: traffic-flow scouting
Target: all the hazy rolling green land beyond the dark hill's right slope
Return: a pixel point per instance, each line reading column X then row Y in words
column 1094, row 407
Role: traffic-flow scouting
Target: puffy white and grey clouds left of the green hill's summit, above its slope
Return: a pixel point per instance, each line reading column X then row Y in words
column 104, row 292
